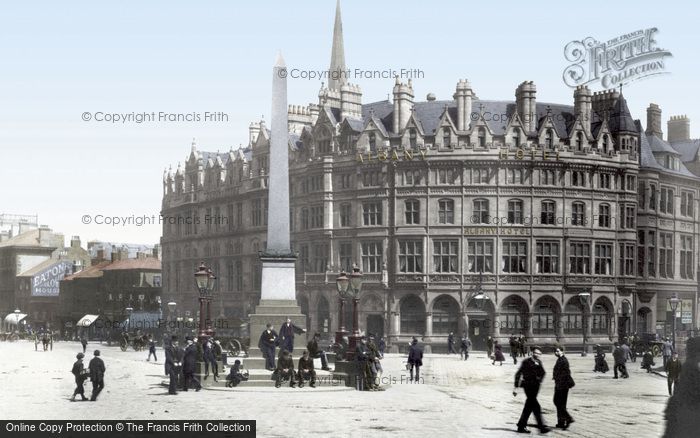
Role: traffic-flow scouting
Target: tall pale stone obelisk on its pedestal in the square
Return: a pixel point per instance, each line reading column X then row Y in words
column 278, row 292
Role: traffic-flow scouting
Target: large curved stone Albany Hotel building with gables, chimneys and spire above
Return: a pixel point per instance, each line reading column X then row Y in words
column 531, row 202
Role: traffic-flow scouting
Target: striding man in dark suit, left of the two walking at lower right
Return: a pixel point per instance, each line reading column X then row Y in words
column 532, row 374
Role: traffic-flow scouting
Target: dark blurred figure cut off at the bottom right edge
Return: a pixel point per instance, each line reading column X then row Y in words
column 682, row 419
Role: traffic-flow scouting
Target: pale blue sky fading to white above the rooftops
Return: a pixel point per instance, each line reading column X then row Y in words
column 61, row 59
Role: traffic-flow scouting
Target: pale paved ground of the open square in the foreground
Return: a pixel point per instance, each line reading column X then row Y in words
column 455, row 399
